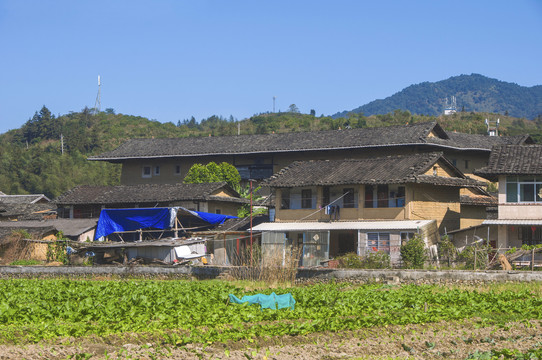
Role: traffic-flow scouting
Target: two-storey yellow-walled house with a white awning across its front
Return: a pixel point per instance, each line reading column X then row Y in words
column 332, row 207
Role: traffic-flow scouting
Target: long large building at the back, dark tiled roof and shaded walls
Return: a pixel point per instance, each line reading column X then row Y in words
column 257, row 157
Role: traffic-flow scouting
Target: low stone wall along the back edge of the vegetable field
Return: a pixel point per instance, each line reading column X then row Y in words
column 303, row 276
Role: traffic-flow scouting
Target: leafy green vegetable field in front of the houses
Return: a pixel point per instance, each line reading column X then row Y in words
column 184, row 314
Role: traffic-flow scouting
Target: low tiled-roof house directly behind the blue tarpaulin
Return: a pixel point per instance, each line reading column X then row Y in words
column 88, row 201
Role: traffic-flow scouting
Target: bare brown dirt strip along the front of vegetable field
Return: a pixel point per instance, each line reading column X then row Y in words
column 429, row 341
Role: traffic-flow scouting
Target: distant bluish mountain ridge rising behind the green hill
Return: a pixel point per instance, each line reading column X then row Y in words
column 473, row 92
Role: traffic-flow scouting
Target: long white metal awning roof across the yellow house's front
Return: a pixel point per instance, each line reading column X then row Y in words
column 343, row 225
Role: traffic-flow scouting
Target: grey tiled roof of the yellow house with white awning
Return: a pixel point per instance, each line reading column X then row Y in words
column 396, row 169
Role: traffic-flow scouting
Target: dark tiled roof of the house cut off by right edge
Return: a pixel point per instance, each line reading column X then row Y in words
column 513, row 160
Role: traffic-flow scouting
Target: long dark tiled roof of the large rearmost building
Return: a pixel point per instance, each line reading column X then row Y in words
column 413, row 134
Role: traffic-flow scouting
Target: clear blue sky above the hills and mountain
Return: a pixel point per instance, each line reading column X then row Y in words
column 170, row 60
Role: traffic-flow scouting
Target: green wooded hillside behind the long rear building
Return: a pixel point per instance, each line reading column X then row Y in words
column 33, row 160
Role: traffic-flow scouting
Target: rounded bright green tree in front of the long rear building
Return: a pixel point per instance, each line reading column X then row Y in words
column 213, row 172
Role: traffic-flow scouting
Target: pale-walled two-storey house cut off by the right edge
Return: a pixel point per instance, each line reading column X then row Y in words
column 518, row 171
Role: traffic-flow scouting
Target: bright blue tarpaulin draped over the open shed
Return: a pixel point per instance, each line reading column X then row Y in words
column 119, row 220
